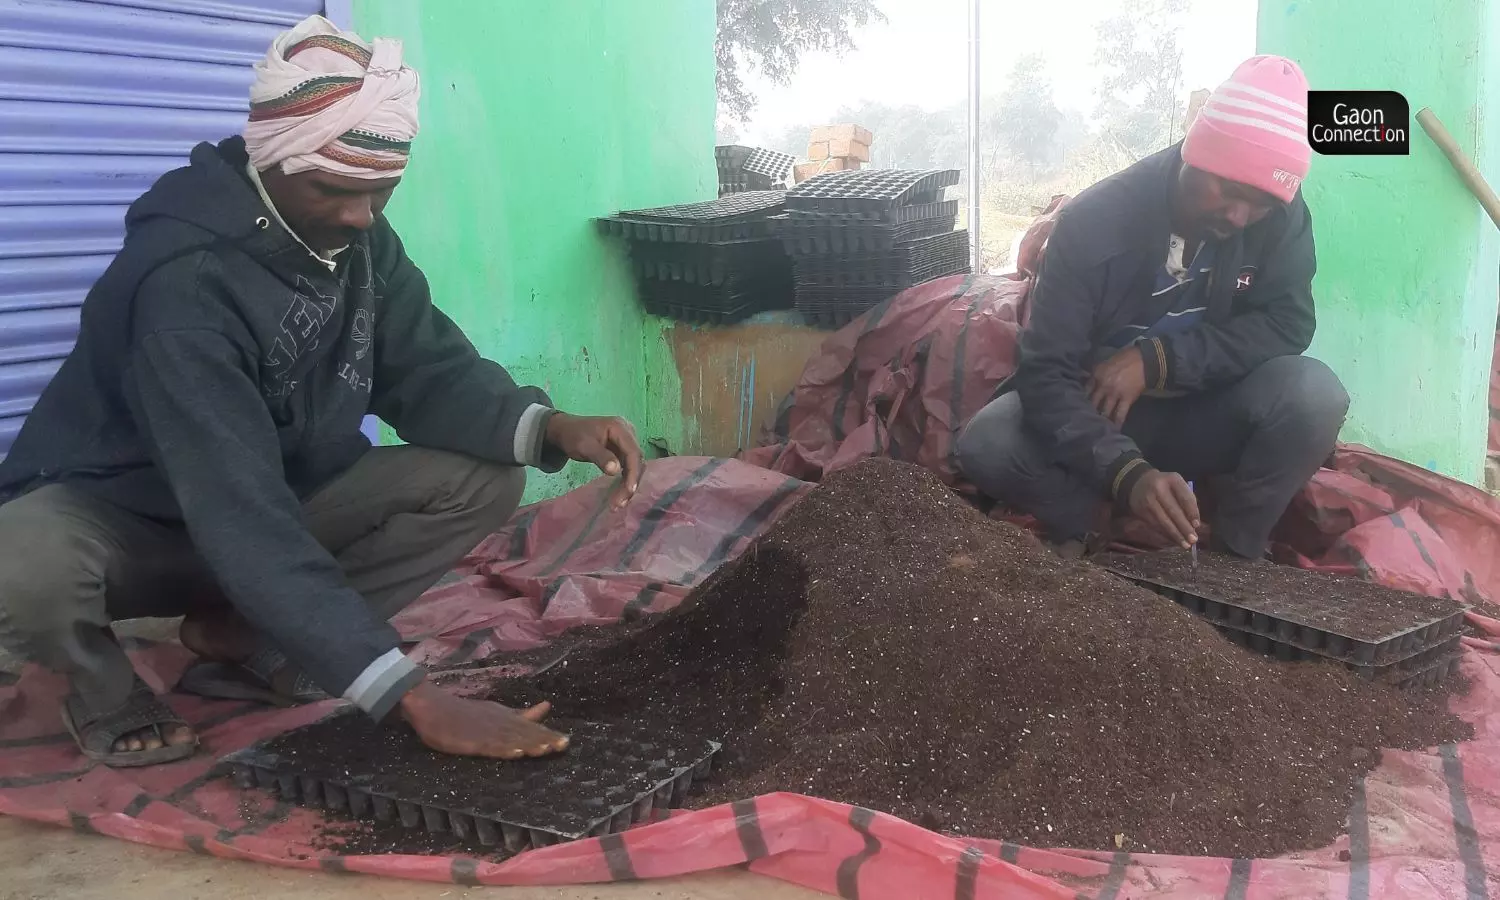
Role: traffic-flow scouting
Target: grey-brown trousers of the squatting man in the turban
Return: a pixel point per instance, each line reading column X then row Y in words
column 71, row 563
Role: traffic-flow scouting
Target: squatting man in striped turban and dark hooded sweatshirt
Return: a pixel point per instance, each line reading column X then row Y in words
column 200, row 451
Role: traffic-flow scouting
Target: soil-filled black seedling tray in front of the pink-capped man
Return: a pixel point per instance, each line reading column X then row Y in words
column 1288, row 610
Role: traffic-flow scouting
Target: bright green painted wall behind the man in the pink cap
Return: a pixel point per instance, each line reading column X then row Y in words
column 1409, row 266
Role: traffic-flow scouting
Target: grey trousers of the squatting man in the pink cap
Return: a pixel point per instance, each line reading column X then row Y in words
column 1265, row 436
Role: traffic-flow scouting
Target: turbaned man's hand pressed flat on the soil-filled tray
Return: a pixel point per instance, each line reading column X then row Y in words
column 478, row 728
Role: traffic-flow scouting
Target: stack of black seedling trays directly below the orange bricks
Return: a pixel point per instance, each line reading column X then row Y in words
column 859, row 238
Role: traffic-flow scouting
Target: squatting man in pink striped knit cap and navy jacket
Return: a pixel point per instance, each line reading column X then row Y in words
column 1165, row 344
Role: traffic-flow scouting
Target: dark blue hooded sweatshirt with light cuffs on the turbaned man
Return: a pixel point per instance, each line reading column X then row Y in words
column 221, row 377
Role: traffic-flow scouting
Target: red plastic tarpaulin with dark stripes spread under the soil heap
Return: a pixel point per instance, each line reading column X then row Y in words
column 1423, row 826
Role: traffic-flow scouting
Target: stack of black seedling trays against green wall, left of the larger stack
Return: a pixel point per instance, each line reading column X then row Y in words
column 709, row 263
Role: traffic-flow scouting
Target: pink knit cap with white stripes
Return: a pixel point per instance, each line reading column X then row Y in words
column 1253, row 130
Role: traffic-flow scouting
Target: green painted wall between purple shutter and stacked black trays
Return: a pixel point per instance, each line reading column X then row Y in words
column 539, row 116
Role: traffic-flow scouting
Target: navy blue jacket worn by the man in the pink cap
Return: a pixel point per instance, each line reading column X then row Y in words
column 1097, row 277
